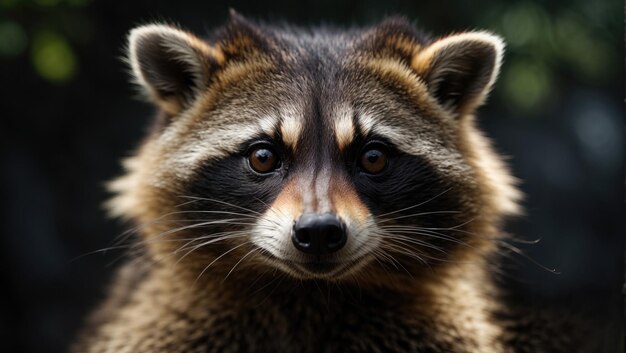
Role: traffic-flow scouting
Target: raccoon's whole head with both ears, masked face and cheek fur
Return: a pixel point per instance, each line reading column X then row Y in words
column 325, row 154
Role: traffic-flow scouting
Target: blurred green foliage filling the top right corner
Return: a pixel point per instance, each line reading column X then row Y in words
column 551, row 46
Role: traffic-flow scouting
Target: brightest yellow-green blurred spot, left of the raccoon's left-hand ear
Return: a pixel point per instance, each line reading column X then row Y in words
column 53, row 57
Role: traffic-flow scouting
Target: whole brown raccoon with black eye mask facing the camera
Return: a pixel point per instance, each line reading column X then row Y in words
column 312, row 190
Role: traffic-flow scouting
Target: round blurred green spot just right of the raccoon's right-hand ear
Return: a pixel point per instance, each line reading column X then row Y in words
column 527, row 84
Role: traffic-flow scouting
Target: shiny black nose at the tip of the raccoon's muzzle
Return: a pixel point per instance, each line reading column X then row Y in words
column 319, row 234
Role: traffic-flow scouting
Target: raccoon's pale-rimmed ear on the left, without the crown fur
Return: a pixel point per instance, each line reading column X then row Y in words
column 170, row 64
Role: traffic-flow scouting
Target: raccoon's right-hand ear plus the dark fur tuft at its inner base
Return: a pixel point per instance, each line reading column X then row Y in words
column 458, row 70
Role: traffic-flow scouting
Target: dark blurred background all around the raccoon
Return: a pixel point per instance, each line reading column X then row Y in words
column 68, row 114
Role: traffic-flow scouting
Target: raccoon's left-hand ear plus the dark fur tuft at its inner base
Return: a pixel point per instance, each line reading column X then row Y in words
column 173, row 66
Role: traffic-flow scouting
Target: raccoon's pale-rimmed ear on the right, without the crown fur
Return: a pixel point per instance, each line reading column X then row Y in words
column 460, row 70
